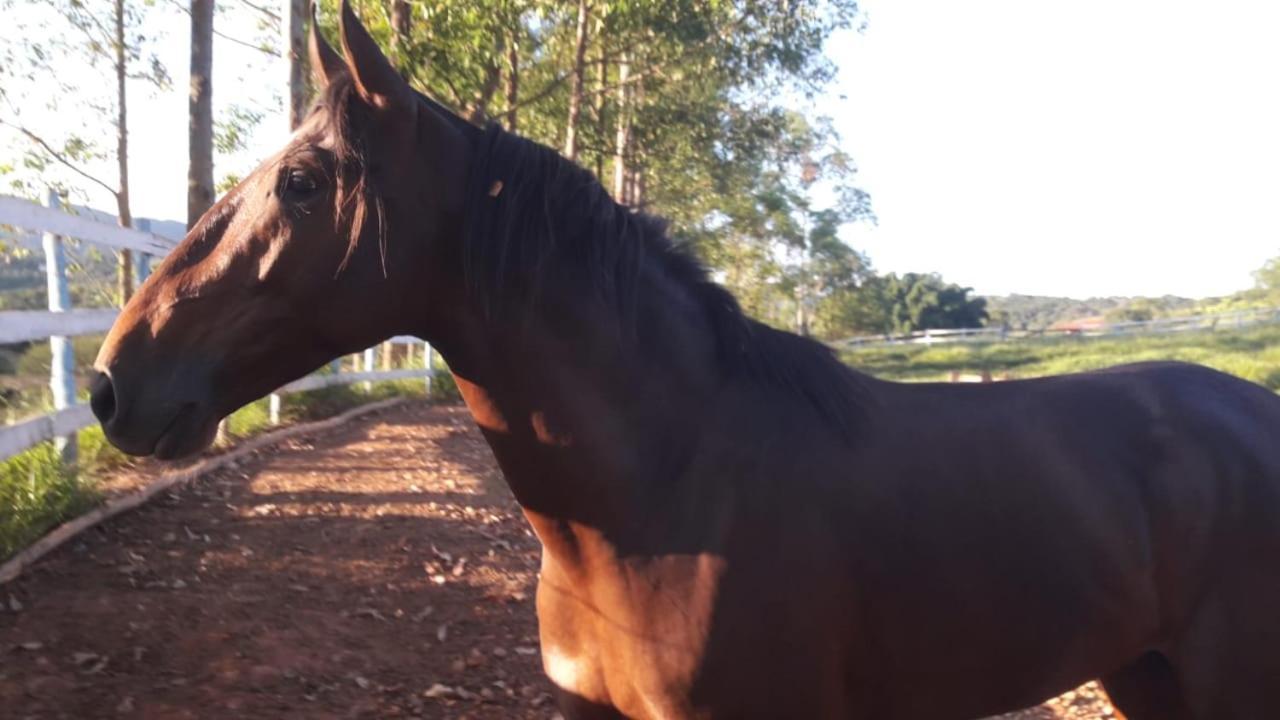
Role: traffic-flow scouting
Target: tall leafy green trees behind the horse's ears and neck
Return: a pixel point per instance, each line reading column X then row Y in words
column 683, row 113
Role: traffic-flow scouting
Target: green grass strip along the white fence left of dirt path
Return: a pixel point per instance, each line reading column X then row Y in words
column 39, row 491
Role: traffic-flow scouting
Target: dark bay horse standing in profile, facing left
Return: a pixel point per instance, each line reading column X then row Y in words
column 734, row 525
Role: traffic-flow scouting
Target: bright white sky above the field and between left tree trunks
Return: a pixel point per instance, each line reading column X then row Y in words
column 1080, row 149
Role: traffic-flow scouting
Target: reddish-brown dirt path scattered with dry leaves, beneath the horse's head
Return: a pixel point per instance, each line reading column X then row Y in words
column 381, row 571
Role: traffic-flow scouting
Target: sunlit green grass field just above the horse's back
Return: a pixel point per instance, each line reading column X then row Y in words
column 1252, row 354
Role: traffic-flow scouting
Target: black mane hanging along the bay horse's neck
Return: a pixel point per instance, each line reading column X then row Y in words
column 533, row 215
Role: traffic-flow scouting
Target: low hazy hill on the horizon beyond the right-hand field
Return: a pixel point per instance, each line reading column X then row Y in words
column 1039, row 312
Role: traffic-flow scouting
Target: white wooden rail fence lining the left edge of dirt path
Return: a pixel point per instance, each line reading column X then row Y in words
column 62, row 322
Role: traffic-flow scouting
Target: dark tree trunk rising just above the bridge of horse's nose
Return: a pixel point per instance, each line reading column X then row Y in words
column 200, row 113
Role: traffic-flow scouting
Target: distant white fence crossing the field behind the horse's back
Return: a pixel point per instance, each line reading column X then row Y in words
column 1209, row 322
